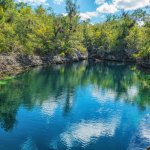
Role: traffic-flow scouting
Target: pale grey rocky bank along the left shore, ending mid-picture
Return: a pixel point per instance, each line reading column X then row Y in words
column 15, row 63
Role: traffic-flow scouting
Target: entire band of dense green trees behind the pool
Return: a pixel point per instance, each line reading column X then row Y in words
column 39, row 31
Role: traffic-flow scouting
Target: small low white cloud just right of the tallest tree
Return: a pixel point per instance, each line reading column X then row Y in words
column 88, row 15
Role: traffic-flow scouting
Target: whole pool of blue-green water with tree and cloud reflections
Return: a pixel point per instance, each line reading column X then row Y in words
column 103, row 106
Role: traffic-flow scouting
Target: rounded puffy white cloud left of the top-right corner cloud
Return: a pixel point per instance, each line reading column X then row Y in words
column 107, row 8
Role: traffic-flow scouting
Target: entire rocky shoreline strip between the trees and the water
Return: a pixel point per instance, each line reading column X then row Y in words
column 14, row 63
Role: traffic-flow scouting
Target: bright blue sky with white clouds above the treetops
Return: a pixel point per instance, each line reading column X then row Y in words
column 95, row 10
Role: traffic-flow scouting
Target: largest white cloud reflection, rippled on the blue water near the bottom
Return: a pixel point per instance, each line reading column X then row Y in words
column 84, row 132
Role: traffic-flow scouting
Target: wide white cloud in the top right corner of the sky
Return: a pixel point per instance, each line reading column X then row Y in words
column 130, row 4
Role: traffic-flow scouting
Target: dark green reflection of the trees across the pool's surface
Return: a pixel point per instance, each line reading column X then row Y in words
column 36, row 86
